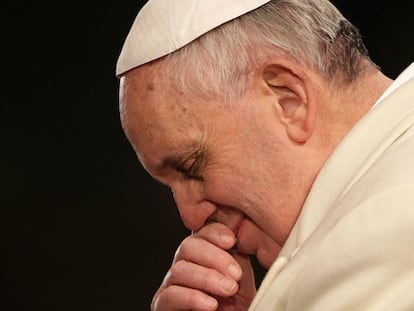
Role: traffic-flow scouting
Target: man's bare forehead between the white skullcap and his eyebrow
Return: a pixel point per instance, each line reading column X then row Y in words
column 155, row 117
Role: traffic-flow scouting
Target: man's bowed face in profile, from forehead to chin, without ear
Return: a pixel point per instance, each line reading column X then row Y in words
column 233, row 165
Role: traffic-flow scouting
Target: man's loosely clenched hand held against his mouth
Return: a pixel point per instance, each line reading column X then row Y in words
column 206, row 275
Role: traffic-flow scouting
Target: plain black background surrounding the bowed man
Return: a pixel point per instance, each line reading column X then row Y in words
column 82, row 225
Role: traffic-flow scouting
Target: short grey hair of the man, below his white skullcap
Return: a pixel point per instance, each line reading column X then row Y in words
column 311, row 31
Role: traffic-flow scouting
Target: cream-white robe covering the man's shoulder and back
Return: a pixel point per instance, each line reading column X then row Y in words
column 352, row 247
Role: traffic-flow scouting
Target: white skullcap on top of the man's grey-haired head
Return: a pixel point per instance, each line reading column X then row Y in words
column 164, row 26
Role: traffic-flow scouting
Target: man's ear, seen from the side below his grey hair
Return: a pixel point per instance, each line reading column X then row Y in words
column 292, row 103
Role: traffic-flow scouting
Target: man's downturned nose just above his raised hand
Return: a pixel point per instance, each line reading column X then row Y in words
column 194, row 209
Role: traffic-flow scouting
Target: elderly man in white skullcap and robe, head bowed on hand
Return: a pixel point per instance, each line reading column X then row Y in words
column 280, row 138
